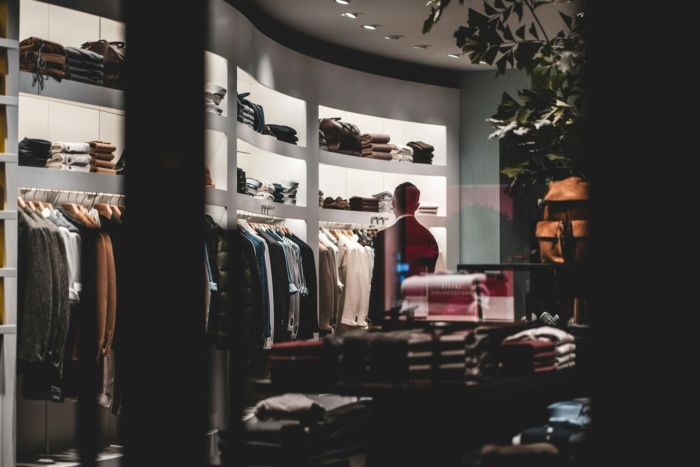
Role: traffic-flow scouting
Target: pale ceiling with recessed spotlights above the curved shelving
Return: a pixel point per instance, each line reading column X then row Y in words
column 321, row 19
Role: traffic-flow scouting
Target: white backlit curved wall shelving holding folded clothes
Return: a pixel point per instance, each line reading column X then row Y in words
column 242, row 60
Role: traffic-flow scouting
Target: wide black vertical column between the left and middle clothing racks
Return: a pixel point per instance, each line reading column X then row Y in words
column 164, row 419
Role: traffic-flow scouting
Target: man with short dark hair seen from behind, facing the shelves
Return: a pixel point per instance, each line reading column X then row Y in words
column 404, row 249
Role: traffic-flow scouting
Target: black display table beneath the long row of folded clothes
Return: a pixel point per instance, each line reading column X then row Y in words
column 435, row 424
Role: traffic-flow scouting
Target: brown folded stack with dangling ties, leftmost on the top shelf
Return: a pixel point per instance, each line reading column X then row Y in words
column 43, row 59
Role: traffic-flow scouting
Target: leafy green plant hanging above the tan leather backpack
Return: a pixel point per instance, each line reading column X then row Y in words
column 532, row 153
